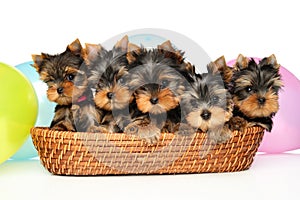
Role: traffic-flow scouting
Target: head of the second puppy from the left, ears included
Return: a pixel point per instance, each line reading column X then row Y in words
column 108, row 76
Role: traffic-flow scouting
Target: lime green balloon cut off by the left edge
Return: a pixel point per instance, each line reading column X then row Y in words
column 18, row 110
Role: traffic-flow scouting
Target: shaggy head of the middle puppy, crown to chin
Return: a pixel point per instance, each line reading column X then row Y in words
column 156, row 80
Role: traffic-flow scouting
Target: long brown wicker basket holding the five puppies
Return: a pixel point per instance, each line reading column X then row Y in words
column 75, row 153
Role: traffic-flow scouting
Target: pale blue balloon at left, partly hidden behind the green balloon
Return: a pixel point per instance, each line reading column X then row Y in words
column 45, row 109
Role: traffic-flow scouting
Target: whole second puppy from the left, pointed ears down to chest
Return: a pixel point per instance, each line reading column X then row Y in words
column 108, row 76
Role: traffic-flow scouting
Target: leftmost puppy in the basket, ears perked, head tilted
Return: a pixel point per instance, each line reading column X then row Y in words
column 58, row 72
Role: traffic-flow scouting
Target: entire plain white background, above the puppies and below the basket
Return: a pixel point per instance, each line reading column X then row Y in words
column 253, row 28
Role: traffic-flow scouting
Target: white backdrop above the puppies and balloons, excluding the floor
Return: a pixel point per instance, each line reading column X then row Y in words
column 254, row 28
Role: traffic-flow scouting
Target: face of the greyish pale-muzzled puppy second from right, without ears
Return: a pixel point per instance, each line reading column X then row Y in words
column 208, row 105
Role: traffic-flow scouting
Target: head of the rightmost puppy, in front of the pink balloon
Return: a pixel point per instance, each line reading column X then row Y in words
column 256, row 82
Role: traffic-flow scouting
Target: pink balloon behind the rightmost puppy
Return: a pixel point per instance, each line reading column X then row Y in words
column 285, row 135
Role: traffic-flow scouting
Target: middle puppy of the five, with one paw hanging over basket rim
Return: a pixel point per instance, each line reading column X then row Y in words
column 157, row 78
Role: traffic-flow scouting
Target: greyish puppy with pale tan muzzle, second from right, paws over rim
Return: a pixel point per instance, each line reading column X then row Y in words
column 208, row 104
